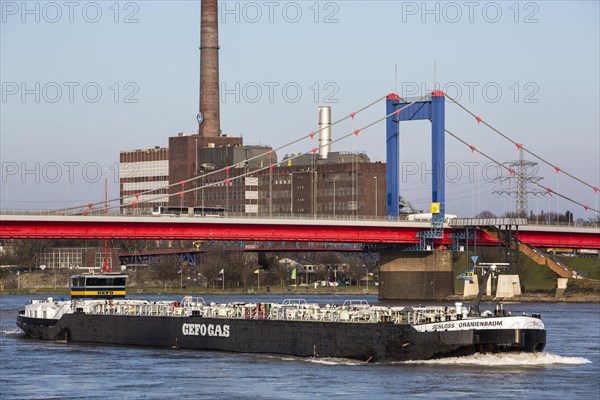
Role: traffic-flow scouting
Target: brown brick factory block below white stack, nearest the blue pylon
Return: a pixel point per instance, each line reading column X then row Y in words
column 343, row 185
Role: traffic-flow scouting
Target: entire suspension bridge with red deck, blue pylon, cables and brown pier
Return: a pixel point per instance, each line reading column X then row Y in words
column 409, row 267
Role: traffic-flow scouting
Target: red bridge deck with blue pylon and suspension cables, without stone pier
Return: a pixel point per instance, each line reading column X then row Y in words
column 94, row 221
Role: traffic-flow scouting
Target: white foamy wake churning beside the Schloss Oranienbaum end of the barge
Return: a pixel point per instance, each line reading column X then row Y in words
column 507, row 359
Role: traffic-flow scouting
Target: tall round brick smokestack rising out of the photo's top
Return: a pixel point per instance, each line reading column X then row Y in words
column 209, row 69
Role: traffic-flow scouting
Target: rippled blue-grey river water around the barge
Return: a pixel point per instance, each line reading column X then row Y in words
column 568, row 369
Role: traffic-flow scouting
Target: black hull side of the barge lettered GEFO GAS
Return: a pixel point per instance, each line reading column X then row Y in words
column 366, row 341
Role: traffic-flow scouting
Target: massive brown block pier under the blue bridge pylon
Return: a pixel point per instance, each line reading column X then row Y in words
column 407, row 275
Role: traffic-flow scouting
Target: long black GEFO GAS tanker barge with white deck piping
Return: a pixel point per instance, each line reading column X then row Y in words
column 98, row 312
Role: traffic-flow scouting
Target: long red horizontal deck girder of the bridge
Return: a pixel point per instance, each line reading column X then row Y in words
column 268, row 229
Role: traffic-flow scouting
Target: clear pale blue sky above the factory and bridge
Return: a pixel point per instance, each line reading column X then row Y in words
column 529, row 68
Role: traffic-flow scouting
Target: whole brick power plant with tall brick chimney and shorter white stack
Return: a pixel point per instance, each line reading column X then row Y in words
column 326, row 183
